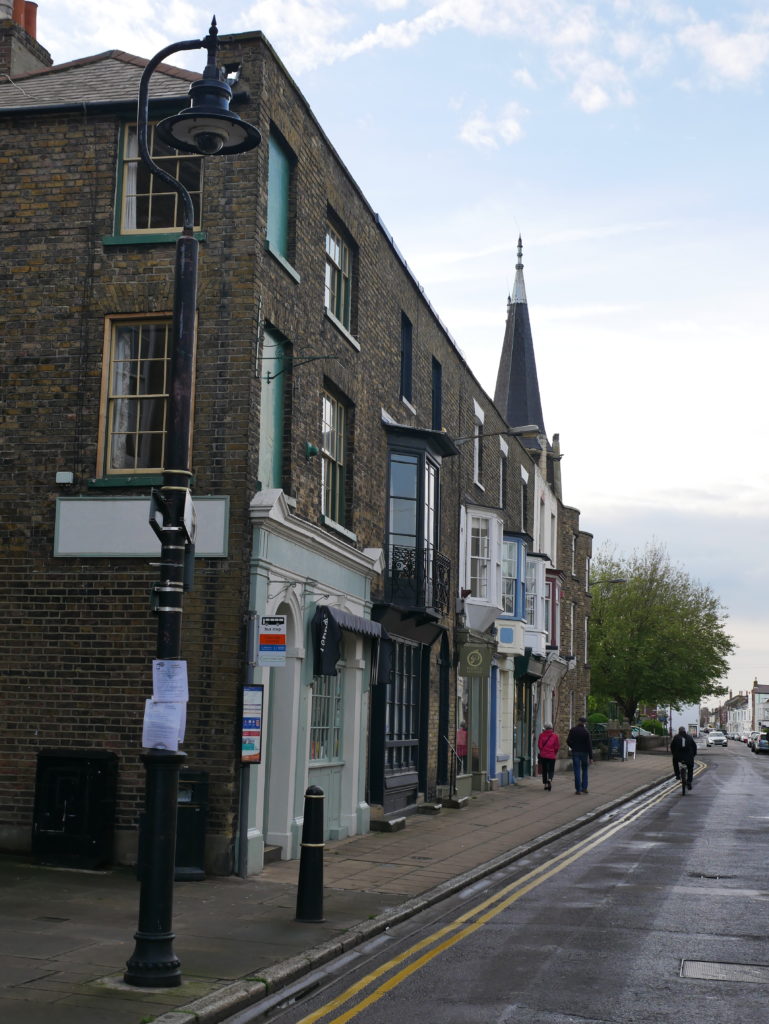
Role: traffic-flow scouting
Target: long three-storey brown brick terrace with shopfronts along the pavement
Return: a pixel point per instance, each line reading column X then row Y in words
column 350, row 475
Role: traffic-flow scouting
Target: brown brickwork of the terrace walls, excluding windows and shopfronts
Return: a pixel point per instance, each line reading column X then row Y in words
column 78, row 641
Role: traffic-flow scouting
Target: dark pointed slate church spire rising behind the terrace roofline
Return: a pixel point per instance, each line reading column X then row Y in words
column 518, row 392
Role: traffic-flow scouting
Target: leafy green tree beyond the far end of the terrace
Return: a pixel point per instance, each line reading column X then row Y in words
column 657, row 636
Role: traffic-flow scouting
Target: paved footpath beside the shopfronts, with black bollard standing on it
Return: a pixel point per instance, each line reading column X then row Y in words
column 66, row 935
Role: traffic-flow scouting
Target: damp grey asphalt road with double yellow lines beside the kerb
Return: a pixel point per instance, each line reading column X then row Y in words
column 592, row 929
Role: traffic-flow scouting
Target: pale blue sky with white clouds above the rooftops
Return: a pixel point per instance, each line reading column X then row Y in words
column 626, row 141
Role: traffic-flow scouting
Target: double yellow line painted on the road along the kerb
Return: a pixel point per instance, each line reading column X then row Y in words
column 416, row 957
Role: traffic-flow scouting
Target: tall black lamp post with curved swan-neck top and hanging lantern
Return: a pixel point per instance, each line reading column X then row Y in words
column 207, row 127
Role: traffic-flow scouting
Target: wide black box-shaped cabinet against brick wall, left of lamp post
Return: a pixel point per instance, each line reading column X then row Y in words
column 75, row 803
